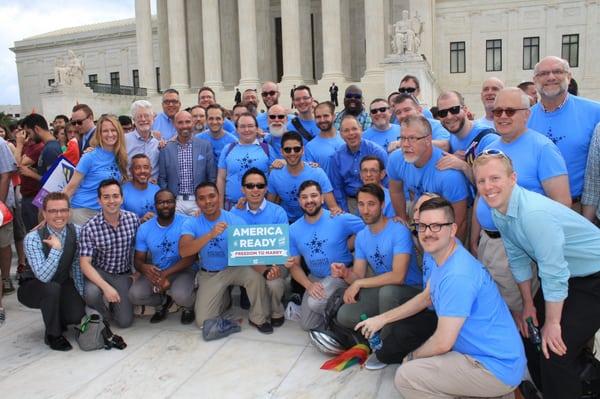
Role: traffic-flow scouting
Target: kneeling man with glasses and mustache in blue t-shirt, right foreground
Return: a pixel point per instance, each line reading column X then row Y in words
column 475, row 350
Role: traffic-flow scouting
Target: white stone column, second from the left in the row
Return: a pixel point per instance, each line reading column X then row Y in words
column 177, row 45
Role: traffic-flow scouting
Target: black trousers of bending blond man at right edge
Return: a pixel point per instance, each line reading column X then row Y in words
column 558, row 376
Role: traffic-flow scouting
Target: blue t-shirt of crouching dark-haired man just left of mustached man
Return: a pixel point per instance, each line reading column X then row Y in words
column 379, row 250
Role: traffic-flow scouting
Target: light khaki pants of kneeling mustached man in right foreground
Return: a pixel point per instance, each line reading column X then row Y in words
column 451, row 375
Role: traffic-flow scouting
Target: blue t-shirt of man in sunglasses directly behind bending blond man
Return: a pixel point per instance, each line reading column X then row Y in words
column 535, row 158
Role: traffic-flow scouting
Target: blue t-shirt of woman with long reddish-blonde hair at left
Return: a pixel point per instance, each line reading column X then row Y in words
column 95, row 166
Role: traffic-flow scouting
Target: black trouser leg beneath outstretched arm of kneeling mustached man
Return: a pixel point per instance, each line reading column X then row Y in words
column 406, row 335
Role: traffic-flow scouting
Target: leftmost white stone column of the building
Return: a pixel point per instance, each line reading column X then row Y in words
column 143, row 36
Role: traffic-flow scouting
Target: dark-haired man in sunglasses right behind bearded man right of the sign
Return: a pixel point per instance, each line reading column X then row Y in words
column 284, row 182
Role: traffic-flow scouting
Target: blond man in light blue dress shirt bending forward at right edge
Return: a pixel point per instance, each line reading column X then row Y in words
column 566, row 248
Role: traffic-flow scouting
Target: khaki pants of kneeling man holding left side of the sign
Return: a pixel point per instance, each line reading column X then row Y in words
column 212, row 297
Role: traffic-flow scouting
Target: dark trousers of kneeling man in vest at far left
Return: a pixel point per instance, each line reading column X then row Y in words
column 60, row 304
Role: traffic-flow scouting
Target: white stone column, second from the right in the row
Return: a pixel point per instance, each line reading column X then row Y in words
column 332, row 41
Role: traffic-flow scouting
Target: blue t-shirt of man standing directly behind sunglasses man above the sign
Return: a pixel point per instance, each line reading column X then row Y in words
column 237, row 161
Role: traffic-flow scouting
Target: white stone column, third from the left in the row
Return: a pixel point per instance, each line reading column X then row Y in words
column 212, row 44
